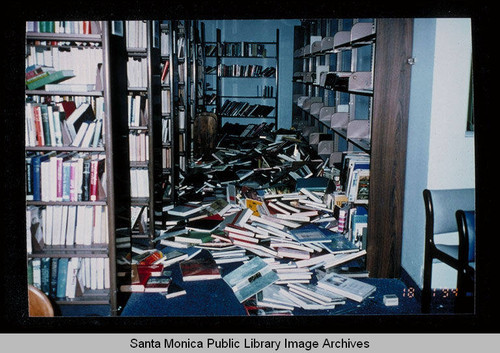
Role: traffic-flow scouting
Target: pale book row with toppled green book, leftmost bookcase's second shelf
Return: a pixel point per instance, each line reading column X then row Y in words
column 54, row 65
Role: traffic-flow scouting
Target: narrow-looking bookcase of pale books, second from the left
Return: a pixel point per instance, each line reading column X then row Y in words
column 144, row 122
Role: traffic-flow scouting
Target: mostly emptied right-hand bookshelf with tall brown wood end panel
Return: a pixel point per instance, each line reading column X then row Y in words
column 344, row 99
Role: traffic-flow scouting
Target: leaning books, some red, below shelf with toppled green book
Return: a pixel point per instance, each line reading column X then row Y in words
column 62, row 124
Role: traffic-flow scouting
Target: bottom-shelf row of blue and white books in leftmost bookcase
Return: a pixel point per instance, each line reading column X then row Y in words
column 68, row 278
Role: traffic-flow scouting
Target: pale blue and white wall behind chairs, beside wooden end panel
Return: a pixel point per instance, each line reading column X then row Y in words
column 440, row 153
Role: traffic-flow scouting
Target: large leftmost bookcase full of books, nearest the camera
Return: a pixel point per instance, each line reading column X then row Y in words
column 89, row 213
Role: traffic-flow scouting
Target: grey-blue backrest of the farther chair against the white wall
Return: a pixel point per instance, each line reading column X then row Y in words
column 441, row 206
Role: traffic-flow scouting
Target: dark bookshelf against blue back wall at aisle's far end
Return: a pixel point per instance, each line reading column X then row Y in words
column 243, row 79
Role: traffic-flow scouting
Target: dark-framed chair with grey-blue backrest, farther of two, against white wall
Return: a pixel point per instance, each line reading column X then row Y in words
column 440, row 218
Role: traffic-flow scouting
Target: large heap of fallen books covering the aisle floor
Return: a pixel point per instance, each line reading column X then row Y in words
column 266, row 204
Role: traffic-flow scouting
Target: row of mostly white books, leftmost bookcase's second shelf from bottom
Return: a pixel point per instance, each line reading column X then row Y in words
column 65, row 226
